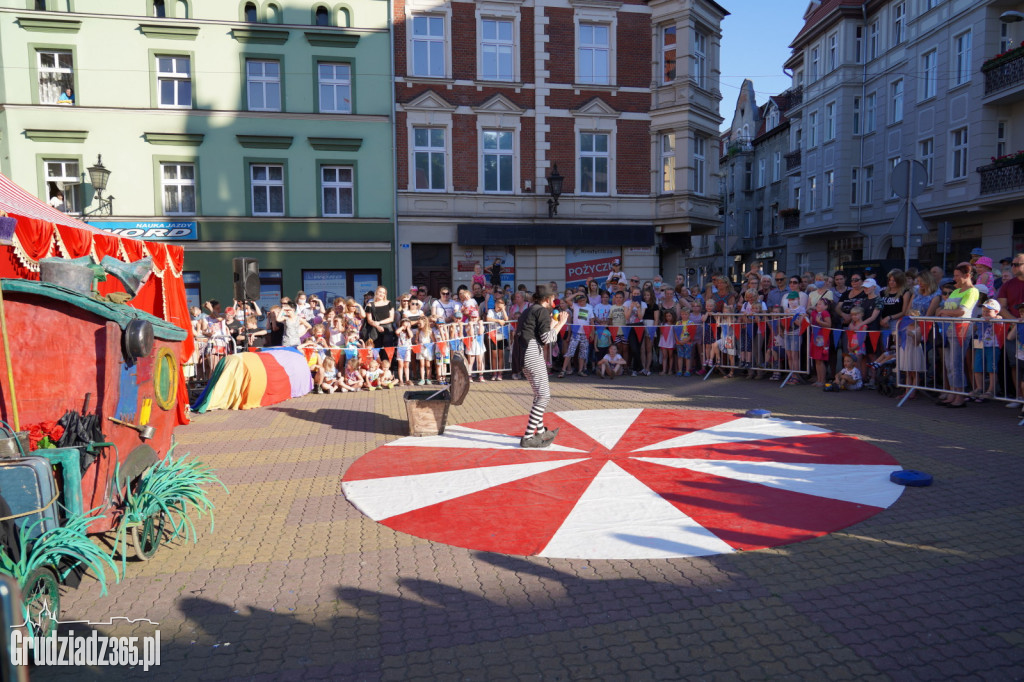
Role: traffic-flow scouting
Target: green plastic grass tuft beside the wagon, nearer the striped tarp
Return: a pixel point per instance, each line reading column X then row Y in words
column 170, row 488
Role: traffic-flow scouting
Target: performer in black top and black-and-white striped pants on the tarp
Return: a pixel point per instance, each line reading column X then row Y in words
column 536, row 328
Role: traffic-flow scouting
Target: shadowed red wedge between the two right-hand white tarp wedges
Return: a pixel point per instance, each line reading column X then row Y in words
column 822, row 449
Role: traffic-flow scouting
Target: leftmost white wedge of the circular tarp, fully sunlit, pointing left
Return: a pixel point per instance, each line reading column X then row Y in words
column 382, row 498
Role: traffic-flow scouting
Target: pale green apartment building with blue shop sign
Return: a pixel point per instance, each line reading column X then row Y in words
column 255, row 129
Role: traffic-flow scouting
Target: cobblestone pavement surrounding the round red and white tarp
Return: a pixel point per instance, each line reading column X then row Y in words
column 294, row 583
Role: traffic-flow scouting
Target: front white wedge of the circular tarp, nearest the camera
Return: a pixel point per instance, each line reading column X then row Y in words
column 618, row 518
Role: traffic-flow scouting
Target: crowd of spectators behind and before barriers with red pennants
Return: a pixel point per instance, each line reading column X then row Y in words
column 757, row 330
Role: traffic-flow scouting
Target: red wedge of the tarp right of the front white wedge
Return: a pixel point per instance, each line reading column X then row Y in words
column 748, row 516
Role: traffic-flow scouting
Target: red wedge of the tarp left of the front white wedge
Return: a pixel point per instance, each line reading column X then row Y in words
column 520, row 518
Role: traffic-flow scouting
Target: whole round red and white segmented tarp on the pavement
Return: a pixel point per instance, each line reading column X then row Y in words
column 625, row 485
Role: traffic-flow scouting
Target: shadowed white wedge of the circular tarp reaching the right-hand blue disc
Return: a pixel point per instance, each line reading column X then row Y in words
column 860, row 484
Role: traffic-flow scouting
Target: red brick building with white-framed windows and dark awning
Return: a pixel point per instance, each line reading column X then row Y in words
column 492, row 97
